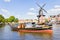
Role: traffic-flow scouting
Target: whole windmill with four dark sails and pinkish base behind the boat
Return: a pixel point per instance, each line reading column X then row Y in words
column 40, row 16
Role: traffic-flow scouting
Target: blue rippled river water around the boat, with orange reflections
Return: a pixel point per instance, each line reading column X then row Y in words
column 7, row 34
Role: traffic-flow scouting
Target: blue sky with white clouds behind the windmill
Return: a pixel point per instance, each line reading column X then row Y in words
column 28, row 9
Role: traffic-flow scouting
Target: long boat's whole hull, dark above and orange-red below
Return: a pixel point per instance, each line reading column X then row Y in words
column 37, row 30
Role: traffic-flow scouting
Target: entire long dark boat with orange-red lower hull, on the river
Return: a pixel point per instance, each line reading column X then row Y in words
column 31, row 28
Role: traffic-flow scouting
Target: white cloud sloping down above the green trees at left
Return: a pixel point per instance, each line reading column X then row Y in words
column 6, row 13
